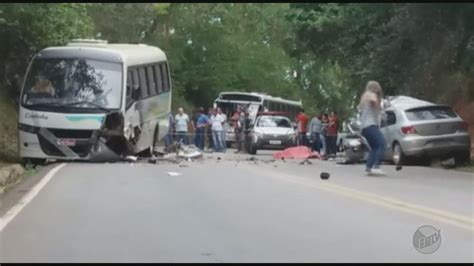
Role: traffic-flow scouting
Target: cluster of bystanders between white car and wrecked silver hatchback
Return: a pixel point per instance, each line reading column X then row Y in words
column 323, row 130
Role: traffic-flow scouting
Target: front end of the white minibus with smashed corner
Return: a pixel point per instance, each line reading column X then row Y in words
column 71, row 107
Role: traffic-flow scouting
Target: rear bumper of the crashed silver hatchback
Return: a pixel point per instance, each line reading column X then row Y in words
column 435, row 145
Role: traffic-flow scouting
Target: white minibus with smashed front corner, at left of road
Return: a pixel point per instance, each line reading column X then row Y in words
column 90, row 97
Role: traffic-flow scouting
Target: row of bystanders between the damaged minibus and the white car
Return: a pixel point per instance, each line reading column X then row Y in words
column 211, row 125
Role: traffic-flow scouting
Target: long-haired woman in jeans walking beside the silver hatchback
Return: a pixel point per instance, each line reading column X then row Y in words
column 371, row 114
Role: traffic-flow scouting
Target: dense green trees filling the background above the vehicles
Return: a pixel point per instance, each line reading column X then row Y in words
column 320, row 53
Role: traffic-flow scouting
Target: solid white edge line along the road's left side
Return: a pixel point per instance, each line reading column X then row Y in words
column 8, row 217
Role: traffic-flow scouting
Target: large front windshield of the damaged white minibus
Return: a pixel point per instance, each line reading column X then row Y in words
column 73, row 83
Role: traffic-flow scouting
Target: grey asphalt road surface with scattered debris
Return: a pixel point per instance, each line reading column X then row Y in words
column 236, row 210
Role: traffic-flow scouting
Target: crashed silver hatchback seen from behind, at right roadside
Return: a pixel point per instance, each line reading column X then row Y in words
column 415, row 128
